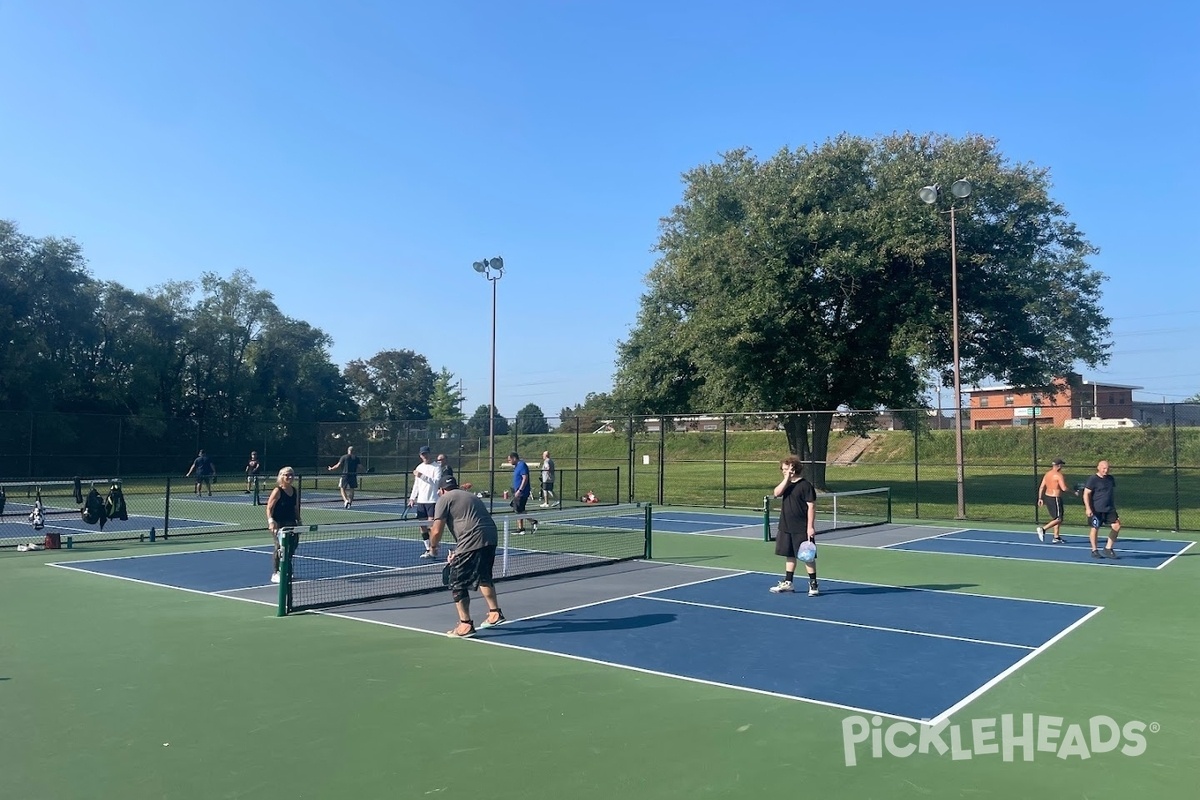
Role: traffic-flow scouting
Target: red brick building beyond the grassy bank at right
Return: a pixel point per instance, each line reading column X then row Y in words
column 1071, row 399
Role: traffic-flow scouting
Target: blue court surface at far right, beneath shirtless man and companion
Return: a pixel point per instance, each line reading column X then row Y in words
column 1133, row 552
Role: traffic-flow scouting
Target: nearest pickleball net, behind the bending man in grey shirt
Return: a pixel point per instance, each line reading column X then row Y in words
column 341, row 566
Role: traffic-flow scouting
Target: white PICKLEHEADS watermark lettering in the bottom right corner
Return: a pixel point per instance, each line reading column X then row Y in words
column 1010, row 737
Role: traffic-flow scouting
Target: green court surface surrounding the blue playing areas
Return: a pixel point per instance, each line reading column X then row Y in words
column 113, row 689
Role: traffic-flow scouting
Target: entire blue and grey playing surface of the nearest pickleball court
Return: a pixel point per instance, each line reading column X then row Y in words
column 910, row 653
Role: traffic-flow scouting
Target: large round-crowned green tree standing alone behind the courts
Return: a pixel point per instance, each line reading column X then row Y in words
column 818, row 281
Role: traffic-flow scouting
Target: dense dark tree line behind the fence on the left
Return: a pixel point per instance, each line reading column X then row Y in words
column 218, row 348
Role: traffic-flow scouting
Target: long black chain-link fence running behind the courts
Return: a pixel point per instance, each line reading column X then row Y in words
column 701, row 460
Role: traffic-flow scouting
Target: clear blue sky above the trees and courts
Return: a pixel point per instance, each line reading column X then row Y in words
column 357, row 157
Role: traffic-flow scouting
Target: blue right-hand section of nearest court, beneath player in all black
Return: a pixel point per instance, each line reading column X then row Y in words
column 885, row 641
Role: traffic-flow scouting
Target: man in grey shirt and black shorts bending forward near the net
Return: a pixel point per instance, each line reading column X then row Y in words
column 471, row 563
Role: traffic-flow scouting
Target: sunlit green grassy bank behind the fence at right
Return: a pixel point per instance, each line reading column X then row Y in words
column 1003, row 474
